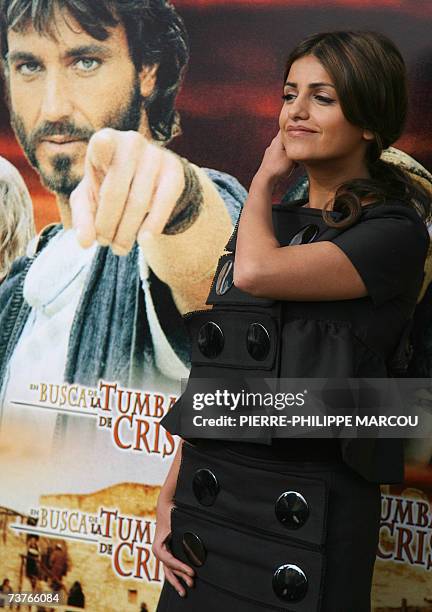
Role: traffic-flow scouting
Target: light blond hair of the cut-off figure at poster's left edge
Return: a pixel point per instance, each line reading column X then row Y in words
column 16, row 216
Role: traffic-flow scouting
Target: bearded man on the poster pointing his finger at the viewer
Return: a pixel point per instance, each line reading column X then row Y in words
column 91, row 88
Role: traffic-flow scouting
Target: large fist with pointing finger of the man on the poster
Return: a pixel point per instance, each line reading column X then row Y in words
column 130, row 187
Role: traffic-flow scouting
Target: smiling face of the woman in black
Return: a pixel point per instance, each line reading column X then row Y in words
column 312, row 123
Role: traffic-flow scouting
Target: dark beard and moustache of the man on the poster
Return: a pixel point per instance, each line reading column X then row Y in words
column 62, row 180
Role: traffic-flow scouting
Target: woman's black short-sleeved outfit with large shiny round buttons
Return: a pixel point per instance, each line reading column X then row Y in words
column 293, row 524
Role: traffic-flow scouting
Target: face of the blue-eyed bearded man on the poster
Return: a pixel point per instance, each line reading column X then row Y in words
column 65, row 87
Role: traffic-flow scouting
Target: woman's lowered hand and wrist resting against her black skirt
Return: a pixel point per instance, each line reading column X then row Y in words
column 173, row 568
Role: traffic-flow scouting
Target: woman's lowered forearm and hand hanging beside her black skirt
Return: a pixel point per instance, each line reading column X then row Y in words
column 173, row 568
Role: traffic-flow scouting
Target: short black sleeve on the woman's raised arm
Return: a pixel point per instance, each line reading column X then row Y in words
column 388, row 248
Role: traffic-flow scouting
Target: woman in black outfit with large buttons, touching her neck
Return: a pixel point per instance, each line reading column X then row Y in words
column 323, row 288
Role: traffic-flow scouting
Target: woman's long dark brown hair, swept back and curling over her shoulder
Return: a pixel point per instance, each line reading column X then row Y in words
column 370, row 79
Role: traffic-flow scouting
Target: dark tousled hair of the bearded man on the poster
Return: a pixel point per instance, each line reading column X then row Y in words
column 155, row 34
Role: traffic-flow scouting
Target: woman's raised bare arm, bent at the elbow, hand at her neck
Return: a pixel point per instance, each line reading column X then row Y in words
column 318, row 271
